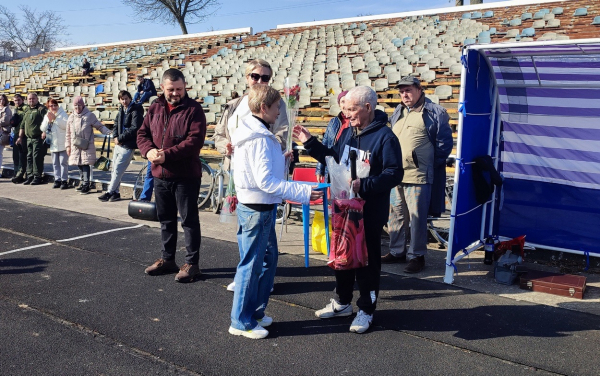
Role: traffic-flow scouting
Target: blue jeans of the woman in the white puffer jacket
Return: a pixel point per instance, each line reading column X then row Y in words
column 256, row 271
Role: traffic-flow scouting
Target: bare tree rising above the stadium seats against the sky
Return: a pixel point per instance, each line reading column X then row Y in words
column 180, row 12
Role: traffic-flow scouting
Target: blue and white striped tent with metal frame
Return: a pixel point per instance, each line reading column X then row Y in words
column 535, row 109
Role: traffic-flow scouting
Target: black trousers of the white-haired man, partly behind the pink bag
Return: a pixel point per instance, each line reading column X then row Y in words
column 367, row 278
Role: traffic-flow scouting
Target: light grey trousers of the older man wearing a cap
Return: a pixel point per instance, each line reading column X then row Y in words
column 409, row 204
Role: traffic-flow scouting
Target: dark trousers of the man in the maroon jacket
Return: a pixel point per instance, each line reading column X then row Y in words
column 173, row 195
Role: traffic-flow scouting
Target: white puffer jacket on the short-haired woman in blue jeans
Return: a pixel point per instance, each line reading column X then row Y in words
column 260, row 167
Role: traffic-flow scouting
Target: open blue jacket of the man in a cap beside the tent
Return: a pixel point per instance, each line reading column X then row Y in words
column 437, row 123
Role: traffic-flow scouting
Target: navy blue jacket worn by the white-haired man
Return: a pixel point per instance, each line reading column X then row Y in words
column 382, row 149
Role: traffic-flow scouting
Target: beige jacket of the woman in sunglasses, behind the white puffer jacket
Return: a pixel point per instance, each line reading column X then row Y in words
column 222, row 136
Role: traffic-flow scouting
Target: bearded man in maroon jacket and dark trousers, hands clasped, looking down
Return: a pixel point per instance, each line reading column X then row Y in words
column 171, row 137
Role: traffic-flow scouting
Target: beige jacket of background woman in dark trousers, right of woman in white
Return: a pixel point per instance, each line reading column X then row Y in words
column 82, row 125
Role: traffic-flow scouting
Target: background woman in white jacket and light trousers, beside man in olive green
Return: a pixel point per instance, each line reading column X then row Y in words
column 54, row 126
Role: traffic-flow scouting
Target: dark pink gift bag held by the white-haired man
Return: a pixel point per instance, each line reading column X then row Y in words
column 348, row 245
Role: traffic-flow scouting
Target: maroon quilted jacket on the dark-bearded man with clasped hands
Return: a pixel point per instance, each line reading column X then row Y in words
column 180, row 134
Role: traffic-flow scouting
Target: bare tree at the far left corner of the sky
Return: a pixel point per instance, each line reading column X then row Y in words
column 37, row 29
